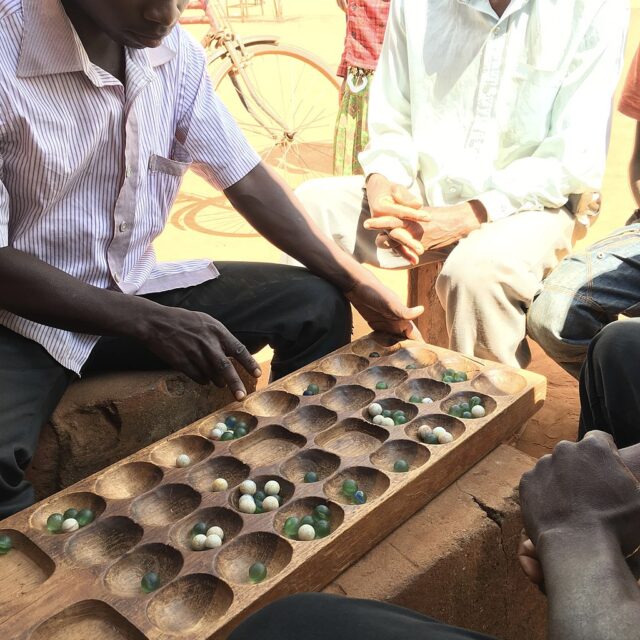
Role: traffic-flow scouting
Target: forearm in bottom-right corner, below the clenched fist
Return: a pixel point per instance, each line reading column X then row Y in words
column 591, row 591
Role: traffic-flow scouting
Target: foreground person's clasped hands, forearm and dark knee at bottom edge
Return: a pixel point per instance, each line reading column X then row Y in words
column 581, row 508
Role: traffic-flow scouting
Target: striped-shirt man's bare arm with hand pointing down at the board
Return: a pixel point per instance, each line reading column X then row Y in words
column 191, row 342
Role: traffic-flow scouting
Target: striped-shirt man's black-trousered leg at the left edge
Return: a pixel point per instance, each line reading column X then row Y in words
column 31, row 385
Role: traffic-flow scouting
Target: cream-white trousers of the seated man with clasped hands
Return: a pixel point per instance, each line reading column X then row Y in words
column 488, row 280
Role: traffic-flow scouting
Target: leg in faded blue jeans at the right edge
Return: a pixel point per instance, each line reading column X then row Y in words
column 584, row 293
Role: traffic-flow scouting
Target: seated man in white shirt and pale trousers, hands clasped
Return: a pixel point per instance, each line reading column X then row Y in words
column 485, row 117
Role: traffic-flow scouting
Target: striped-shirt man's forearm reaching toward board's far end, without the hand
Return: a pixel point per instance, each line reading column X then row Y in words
column 274, row 211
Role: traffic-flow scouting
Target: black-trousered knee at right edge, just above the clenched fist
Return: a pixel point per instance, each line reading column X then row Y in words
column 609, row 389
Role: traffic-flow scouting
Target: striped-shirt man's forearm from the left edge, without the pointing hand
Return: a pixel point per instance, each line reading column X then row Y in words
column 37, row 291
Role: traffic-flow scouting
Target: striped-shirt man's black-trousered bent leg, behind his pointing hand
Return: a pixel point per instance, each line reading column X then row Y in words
column 298, row 314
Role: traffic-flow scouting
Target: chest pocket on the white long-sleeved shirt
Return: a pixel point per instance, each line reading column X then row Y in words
column 535, row 93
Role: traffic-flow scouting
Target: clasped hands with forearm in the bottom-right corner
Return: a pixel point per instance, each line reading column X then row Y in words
column 581, row 509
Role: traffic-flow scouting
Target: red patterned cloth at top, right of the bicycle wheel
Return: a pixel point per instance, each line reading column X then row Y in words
column 366, row 24
